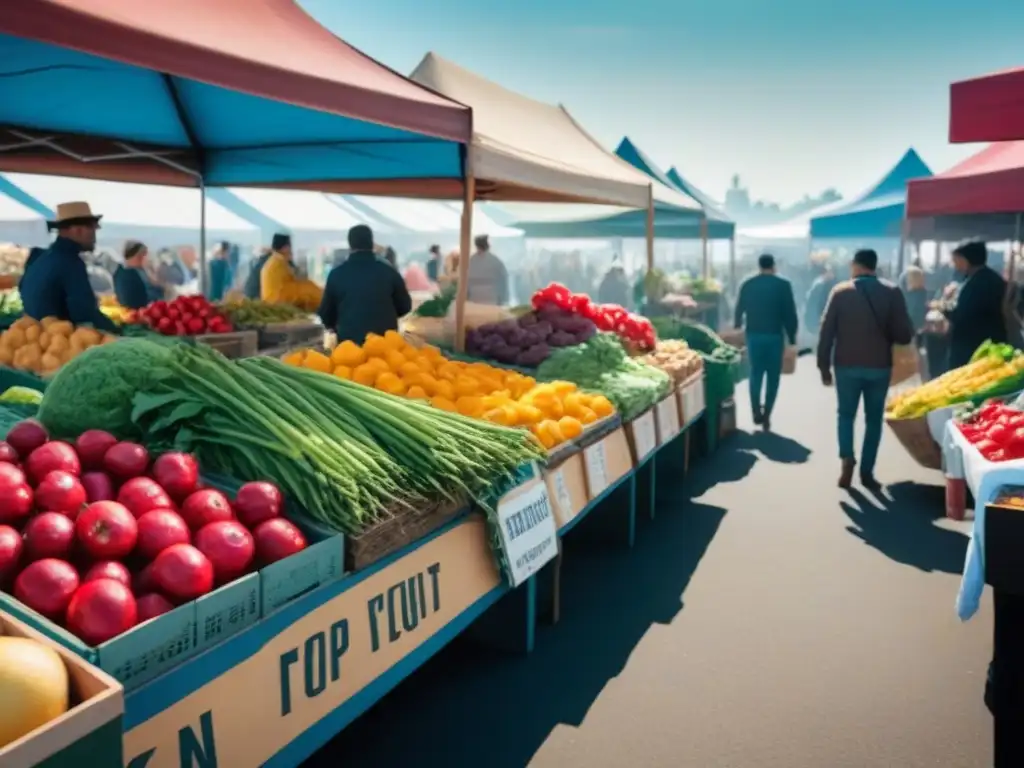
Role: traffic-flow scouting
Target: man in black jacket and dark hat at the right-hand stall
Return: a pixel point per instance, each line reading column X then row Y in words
column 977, row 315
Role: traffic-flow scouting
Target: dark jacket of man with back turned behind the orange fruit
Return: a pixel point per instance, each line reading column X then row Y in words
column 364, row 295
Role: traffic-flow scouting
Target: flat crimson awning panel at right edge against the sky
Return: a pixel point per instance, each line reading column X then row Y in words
column 988, row 109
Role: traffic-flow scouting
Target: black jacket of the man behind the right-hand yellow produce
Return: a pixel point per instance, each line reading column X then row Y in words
column 977, row 316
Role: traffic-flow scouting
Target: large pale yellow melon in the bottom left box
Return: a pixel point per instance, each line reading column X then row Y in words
column 34, row 688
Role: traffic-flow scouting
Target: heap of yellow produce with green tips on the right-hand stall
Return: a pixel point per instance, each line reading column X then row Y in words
column 995, row 370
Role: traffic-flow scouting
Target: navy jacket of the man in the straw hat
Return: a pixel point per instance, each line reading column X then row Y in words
column 58, row 286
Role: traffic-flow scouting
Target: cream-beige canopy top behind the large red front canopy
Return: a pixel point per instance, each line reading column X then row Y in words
column 524, row 150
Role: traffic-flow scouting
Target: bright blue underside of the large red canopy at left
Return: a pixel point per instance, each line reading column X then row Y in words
column 237, row 139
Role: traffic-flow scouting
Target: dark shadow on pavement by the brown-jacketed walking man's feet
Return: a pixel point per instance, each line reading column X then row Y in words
column 900, row 523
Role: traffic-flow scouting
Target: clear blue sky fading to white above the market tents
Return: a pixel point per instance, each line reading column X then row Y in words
column 794, row 96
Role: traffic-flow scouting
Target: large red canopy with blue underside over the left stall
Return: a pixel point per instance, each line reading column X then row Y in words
column 247, row 93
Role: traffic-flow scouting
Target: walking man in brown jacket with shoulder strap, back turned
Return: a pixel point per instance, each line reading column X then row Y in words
column 865, row 318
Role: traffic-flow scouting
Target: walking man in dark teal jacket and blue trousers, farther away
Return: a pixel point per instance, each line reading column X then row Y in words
column 767, row 306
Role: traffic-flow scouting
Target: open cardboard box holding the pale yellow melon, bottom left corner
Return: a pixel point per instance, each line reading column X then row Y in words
column 89, row 735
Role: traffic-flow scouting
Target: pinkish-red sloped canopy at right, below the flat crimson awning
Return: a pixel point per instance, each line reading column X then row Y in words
column 992, row 182
